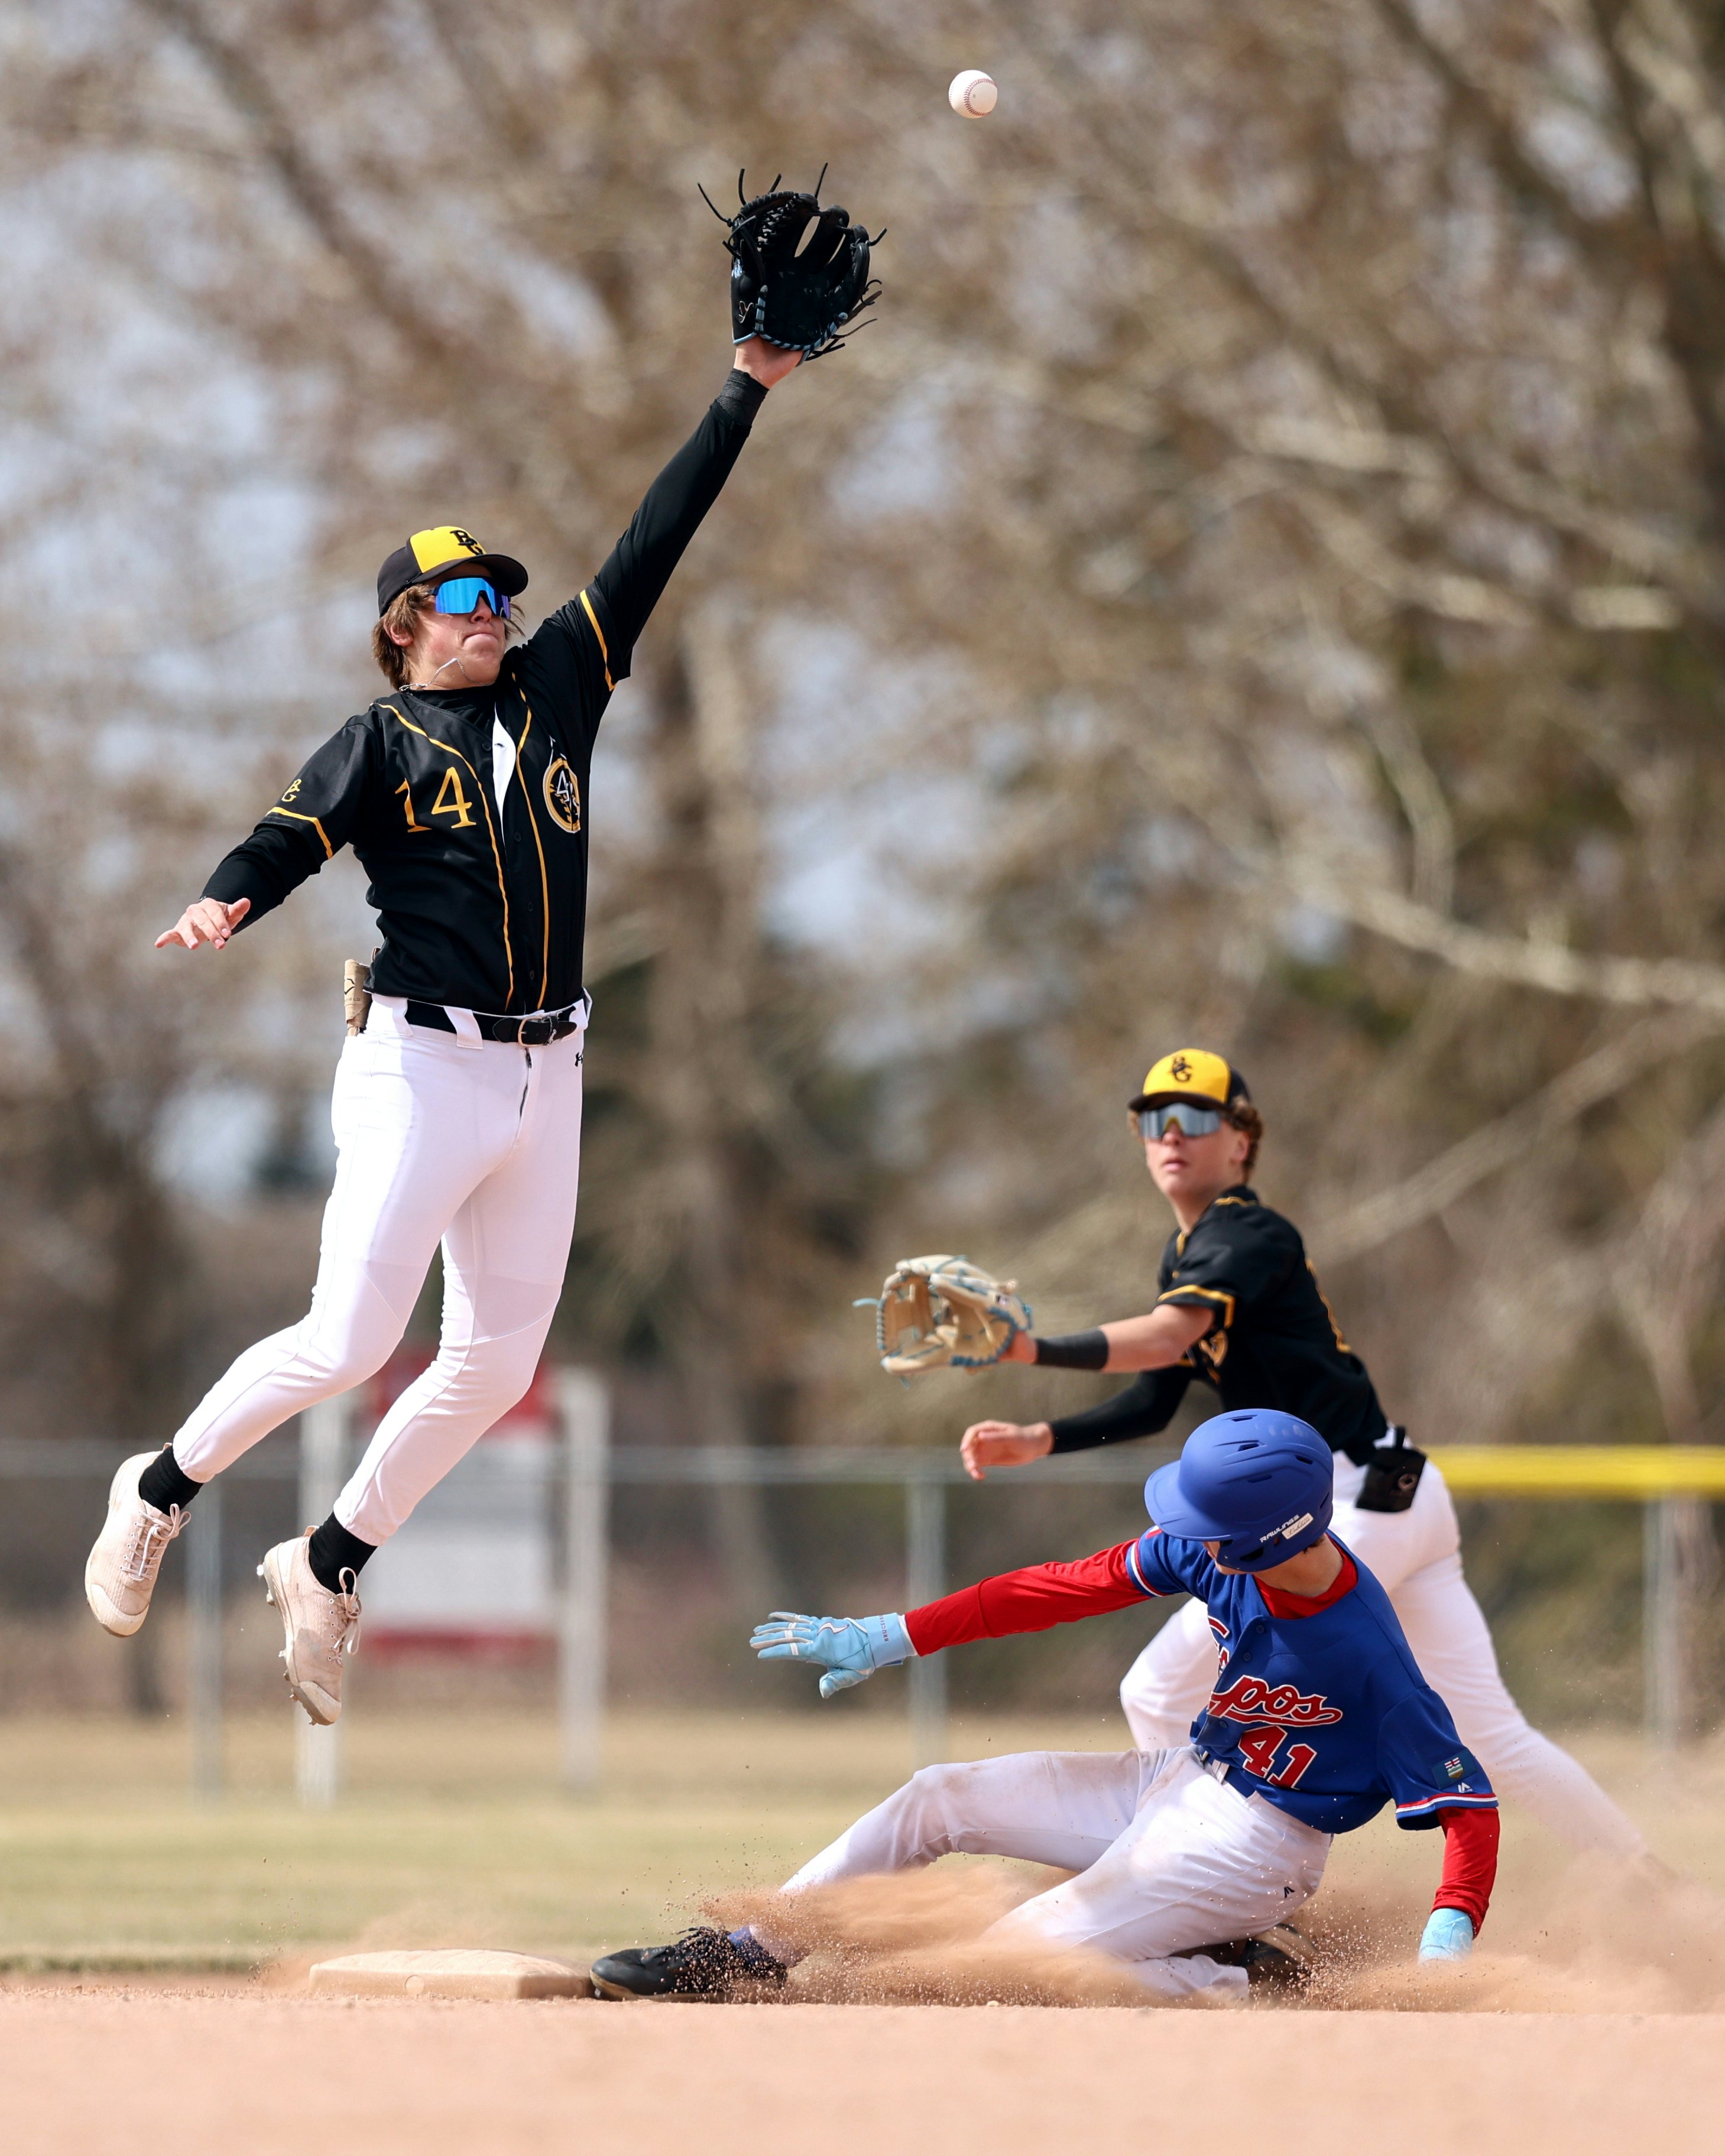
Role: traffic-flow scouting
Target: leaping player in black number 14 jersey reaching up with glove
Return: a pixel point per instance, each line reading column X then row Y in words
column 458, row 1096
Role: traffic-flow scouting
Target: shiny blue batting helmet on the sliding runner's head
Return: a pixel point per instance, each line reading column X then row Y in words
column 1260, row 1484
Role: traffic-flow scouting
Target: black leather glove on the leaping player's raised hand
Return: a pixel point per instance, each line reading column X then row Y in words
column 792, row 286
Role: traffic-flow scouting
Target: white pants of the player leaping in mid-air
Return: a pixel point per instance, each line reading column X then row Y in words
column 439, row 1139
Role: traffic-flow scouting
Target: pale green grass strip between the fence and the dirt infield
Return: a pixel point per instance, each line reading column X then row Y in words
column 452, row 1832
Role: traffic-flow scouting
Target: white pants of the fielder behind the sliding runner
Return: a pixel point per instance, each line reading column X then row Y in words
column 1418, row 1556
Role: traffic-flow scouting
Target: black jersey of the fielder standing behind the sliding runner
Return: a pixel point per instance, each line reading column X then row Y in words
column 1273, row 1340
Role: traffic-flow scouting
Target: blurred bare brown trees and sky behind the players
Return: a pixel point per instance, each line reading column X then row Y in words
column 1258, row 581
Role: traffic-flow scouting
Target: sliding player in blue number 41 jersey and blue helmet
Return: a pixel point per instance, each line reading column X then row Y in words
column 1189, row 1857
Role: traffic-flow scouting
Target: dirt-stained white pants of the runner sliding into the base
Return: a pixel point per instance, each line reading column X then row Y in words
column 1168, row 1857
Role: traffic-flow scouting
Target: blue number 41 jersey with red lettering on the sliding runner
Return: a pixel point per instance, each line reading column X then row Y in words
column 1325, row 1715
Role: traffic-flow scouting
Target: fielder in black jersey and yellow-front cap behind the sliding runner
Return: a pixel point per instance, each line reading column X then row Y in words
column 1241, row 1310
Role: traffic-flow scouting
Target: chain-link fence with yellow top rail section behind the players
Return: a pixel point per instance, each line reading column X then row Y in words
column 575, row 1575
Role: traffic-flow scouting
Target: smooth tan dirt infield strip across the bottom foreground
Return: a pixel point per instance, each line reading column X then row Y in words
column 206, row 2073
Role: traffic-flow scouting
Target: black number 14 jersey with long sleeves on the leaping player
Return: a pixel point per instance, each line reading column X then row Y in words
column 471, row 807
